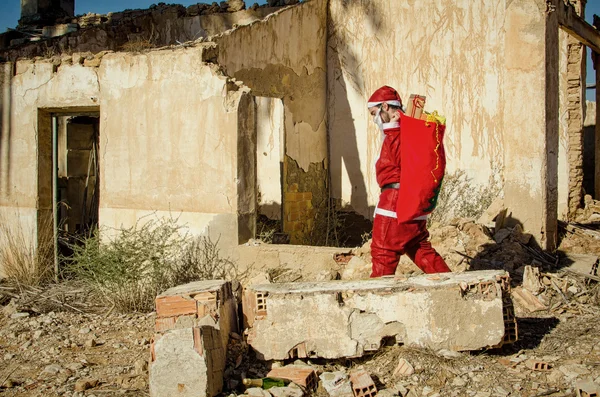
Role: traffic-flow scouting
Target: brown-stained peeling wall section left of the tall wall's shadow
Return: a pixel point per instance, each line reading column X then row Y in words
column 283, row 57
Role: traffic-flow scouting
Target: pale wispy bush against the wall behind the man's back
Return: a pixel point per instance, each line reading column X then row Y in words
column 459, row 197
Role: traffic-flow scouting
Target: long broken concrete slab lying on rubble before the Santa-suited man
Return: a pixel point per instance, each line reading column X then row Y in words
column 467, row 311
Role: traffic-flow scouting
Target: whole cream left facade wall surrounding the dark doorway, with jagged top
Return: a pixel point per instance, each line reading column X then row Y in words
column 168, row 137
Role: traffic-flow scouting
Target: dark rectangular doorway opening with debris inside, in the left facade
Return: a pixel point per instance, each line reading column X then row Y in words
column 68, row 175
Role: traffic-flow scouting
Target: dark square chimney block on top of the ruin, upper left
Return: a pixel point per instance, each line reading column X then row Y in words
column 45, row 12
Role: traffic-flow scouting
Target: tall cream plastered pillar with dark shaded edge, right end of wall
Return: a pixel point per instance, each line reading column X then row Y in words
column 531, row 118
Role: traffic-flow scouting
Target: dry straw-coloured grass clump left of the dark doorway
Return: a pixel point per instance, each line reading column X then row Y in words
column 27, row 257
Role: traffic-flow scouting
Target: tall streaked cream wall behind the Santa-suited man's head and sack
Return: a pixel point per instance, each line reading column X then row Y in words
column 450, row 51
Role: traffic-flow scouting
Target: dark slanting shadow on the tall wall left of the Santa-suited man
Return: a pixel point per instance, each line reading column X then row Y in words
column 342, row 57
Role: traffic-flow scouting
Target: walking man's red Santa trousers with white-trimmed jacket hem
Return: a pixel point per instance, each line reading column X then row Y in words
column 392, row 239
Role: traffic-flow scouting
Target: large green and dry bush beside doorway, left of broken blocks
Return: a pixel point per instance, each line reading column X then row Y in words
column 137, row 263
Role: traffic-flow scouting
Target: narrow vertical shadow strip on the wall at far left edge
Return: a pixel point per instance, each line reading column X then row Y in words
column 5, row 126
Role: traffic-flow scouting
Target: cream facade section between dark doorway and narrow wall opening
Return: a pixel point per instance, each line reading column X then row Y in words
column 169, row 141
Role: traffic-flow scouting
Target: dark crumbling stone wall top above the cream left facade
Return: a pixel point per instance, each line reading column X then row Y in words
column 135, row 30
